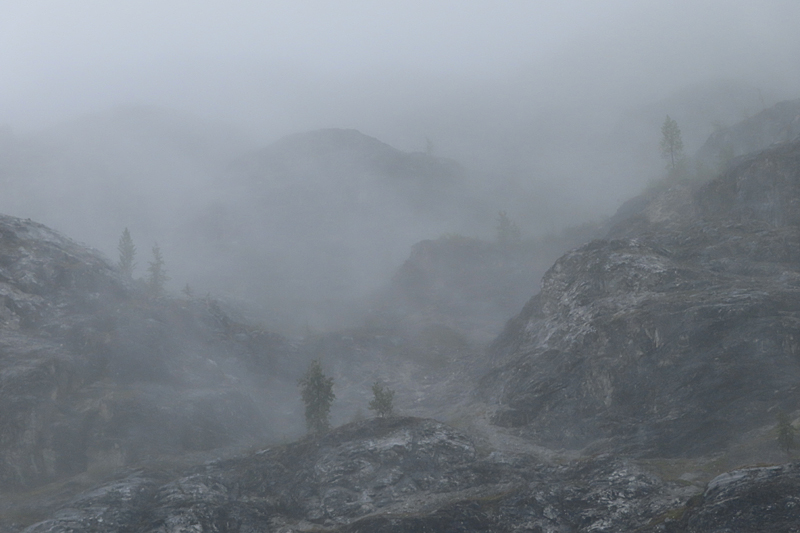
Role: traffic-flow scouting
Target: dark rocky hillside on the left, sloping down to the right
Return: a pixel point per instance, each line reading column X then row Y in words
column 95, row 374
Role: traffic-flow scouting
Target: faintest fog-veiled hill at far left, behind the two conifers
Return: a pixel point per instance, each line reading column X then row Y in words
column 140, row 166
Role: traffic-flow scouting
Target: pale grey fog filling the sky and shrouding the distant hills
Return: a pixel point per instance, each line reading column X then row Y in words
column 150, row 115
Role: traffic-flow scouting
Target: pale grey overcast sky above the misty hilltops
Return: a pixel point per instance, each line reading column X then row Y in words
column 290, row 66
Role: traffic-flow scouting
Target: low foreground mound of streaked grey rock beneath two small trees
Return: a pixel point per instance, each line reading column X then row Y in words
column 392, row 475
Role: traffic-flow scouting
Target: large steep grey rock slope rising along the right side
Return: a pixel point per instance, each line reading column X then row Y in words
column 675, row 337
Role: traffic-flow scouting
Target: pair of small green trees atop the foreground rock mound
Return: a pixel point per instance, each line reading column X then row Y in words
column 316, row 390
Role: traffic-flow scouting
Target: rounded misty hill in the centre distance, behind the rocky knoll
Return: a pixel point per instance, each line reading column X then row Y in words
column 315, row 222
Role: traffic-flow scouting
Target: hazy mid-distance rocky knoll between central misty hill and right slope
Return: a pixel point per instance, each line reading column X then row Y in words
column 471, row 285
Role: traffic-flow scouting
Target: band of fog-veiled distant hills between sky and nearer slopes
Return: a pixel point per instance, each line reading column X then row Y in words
column 306, row 227
